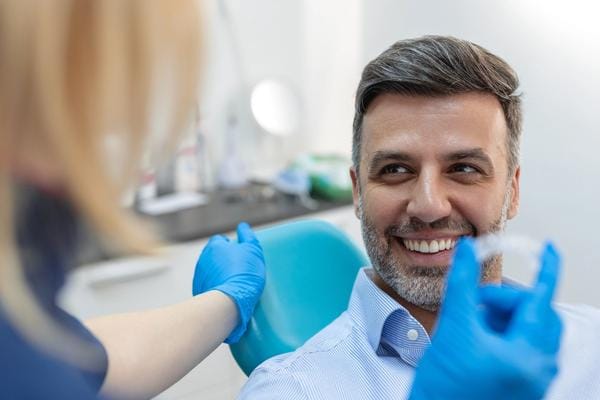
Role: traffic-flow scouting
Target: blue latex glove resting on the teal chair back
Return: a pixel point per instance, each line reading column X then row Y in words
column 236, row 269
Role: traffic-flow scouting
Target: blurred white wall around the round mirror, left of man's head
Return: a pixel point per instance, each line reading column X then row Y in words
column 313, row 46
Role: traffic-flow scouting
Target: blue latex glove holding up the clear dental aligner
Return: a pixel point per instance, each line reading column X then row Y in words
column 492, row 342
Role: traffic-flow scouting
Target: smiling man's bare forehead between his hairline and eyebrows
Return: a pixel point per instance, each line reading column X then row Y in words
column 449, row 123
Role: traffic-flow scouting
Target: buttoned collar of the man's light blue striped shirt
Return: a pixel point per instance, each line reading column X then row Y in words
column 390, row 329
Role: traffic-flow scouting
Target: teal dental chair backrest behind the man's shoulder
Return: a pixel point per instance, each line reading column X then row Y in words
column 311, row 267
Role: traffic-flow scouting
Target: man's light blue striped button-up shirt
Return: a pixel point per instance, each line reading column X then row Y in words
column 371, row 350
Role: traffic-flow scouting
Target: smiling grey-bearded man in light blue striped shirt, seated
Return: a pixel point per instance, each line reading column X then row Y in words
column 435, row 157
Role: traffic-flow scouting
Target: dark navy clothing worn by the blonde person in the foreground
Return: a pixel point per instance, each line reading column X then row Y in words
column 46, row 236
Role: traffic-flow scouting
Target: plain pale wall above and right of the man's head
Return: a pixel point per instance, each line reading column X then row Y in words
column 553, row 45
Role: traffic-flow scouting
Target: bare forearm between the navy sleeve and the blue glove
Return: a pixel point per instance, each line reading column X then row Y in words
column 149, row 351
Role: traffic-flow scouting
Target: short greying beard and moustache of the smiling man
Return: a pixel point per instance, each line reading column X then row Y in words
column 422, row 286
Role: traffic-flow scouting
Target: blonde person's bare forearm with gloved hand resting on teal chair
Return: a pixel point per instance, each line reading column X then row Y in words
column 151, row 350
